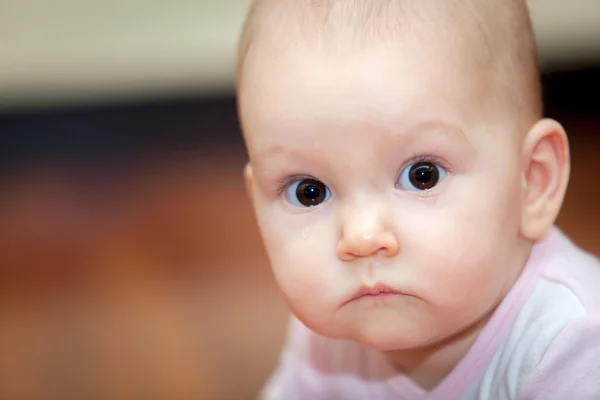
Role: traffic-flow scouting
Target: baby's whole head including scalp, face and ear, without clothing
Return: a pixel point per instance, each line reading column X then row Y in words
column 393, row 159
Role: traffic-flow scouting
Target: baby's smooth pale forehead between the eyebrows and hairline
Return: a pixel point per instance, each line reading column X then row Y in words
column 385, row 86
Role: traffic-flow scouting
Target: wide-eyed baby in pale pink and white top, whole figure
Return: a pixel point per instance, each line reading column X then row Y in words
column 406, row 188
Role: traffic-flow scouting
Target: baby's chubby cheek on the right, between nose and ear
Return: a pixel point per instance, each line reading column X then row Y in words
column 468, row 256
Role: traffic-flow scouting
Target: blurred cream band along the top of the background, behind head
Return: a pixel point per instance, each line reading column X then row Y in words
column 65, row 51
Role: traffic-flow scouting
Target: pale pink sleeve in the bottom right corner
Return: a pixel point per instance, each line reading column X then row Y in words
column 570, row 368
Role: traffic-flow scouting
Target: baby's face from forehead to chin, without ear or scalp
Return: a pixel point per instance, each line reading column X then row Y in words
column 378, row 172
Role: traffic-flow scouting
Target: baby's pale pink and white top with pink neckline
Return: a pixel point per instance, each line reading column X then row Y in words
column 543, row 342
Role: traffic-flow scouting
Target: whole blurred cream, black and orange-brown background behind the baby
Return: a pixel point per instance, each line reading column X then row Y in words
column 130, row 265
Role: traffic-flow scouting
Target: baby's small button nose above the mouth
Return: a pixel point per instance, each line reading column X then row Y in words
column 366, row 233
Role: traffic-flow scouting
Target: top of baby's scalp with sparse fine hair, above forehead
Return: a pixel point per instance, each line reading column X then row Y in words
column 493, row 36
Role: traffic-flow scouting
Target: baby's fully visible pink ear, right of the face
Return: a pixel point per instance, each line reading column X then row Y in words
column 545, row 177
